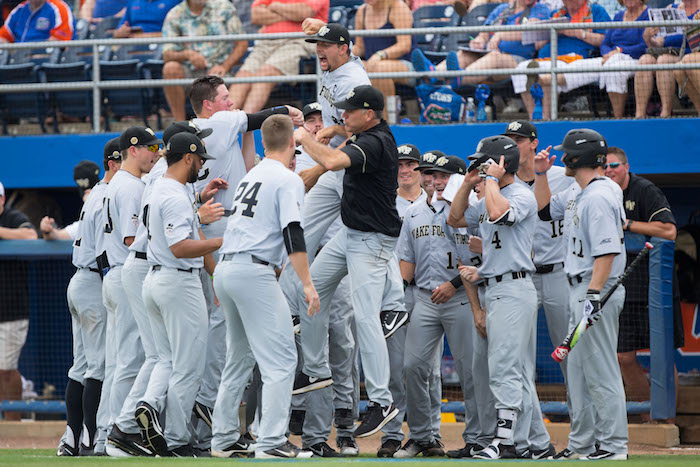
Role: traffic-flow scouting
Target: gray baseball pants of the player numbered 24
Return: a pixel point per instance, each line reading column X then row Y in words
column 258, row 328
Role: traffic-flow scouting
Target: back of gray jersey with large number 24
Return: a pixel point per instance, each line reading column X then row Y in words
column 266, row 200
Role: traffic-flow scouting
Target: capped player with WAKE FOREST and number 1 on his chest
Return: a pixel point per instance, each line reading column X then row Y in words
column 426, row 242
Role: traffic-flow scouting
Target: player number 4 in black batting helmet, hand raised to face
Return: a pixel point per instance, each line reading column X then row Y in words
column 506, row 219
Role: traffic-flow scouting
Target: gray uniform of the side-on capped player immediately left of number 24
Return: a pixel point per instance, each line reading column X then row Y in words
column 172, row 293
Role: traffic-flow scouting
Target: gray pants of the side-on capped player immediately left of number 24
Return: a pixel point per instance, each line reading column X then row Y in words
column 178, row 315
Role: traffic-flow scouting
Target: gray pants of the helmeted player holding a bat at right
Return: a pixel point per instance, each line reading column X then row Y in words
column 593, row 366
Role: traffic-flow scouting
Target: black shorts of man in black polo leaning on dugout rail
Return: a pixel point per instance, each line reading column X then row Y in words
column 634, row 326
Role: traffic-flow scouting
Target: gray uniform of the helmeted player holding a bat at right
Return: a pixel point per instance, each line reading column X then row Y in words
column 597, row 217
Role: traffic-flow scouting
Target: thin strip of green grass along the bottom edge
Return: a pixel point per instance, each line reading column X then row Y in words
column 48, row 457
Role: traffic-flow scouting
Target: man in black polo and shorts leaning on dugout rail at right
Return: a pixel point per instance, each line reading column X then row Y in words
column 648, row 213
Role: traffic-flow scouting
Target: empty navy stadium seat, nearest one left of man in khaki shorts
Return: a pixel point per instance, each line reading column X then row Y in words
column 124, row 102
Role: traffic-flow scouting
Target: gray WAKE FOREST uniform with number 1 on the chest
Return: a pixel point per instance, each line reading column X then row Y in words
column 430, row 244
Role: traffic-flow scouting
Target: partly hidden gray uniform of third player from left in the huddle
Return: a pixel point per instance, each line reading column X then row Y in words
column 149, row 386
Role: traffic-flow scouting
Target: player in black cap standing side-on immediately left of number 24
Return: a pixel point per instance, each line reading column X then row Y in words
column 172, row 290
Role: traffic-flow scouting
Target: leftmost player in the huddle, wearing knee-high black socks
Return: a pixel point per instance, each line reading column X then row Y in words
column 88, row 320
